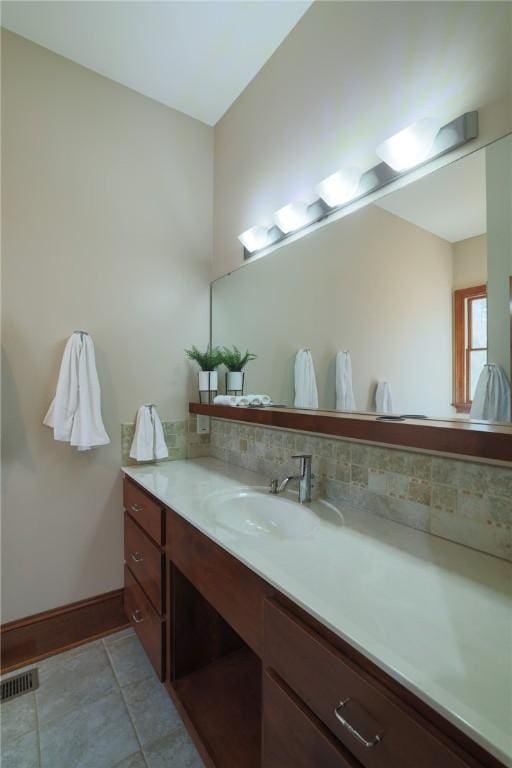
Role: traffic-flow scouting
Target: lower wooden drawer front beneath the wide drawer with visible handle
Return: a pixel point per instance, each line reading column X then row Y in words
column 292, row 738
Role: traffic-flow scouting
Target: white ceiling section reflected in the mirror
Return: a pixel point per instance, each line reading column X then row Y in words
column 450, row 202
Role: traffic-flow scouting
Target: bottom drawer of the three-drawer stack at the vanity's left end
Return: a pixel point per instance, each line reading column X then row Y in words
column 145, row 620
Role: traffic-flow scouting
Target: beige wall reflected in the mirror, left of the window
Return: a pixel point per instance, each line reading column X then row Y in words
column 371, row 283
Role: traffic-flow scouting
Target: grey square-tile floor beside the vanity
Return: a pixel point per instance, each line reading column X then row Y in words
column 97, row 706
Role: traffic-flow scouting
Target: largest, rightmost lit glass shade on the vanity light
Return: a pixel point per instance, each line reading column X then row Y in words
column 411, row 146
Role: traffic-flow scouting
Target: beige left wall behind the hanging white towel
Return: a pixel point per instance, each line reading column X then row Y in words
column 107, row 216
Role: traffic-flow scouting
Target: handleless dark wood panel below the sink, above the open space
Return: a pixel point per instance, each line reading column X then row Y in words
column 231, row 588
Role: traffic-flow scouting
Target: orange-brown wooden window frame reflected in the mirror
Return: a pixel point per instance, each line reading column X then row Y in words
column 462, row 299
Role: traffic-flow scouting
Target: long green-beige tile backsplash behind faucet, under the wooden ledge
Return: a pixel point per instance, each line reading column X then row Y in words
column 465, row 501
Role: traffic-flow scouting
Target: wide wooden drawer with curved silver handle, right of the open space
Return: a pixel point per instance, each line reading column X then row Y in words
column 323, row 678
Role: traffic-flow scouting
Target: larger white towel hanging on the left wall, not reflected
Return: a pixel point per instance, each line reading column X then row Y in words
column 75, row 411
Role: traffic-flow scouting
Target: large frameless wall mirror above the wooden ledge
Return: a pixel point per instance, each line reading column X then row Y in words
column 415, row 286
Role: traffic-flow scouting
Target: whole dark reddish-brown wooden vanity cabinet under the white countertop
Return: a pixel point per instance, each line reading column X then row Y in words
column 258, row 681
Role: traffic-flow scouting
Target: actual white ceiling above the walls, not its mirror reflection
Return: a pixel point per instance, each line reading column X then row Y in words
column 196, row 57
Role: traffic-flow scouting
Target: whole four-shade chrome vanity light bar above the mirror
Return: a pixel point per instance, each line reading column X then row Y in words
column 421, row 142
